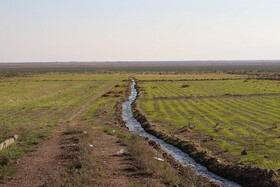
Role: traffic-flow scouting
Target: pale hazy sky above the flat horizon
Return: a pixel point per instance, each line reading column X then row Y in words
column 97, row 30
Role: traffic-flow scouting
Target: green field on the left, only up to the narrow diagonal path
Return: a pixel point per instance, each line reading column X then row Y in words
column 42, row 101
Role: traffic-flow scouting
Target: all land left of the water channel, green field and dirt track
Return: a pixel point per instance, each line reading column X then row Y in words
column 70, row 128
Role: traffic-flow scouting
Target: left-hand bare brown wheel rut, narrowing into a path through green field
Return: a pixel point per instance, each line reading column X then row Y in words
column 36, row 168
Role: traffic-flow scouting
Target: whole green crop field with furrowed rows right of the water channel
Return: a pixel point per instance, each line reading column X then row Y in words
column 223, row 117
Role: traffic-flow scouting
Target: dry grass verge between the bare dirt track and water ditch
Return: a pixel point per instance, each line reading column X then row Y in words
column 144, row 155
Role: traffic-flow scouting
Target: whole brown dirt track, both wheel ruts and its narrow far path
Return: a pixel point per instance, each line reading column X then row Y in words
column 48, row 164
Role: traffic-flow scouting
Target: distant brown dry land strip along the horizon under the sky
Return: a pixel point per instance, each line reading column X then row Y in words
column 142, row 65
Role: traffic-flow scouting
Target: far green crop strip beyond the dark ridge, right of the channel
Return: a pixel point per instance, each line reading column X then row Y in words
column 208, row 88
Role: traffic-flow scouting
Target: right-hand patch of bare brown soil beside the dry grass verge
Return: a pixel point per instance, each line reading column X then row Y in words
column 118, row 170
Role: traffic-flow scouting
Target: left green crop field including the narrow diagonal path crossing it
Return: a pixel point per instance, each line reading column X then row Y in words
column 34, row 104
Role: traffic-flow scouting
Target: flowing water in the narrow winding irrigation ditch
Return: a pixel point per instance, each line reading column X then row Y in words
column 179, row 155
